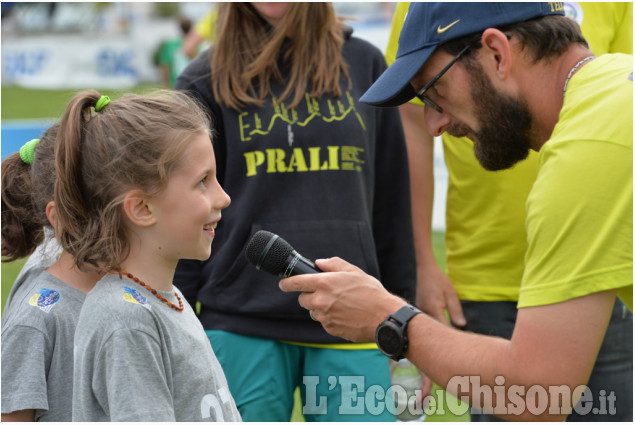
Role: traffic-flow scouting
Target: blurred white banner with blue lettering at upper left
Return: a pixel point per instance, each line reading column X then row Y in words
column 69, row 61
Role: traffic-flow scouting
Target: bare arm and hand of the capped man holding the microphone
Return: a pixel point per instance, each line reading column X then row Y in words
column 552, row 346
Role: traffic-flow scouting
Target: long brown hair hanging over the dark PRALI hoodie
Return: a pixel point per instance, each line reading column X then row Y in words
column 245, row 58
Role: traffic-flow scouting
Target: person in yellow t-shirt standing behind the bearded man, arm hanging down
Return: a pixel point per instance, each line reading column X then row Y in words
column 485, row 225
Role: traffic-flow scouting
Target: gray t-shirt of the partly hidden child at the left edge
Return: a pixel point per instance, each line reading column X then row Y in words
column 38, row 327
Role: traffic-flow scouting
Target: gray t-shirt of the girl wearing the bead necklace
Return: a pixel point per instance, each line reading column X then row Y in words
column 137, row 359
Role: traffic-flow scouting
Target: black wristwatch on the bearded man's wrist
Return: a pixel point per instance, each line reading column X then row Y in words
column 391, row 336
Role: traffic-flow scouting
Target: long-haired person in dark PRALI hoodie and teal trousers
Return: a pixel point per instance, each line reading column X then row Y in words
column 301, row 157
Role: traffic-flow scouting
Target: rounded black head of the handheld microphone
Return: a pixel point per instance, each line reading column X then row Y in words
column 268, row 252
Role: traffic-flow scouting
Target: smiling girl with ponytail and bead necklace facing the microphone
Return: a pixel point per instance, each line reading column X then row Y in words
column 136, row 192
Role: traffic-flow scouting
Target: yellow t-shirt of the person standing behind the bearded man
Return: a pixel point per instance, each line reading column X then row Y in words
column 485, row 211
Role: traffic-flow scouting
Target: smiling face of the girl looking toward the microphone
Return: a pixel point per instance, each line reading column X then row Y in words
column 189, row 208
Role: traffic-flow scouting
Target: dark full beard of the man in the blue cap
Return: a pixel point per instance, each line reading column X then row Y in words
column 506, row 125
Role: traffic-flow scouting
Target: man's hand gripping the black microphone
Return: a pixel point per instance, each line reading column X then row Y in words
column 348, row 302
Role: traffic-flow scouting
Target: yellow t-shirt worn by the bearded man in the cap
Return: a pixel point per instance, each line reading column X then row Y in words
column 580, row 209
